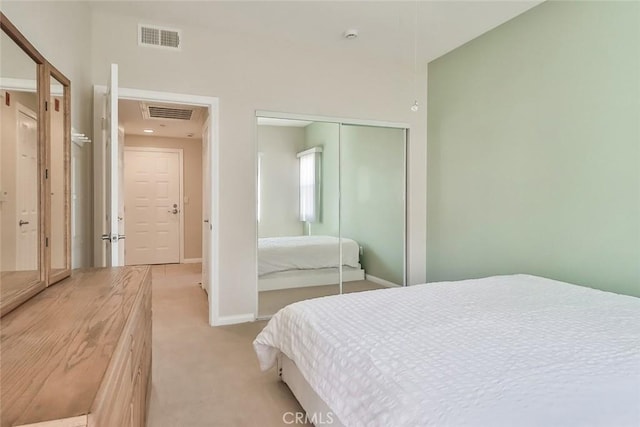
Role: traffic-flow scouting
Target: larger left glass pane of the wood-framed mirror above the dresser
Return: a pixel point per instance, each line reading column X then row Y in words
column 19, row 173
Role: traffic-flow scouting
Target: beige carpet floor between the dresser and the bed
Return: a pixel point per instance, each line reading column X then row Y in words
column 204, row 376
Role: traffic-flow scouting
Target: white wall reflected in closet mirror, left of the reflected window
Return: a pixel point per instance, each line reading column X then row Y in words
column 280, row 180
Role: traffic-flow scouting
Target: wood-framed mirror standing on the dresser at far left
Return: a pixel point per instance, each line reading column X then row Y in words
column 35, row 140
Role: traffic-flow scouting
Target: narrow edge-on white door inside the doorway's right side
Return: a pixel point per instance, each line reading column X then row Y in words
column 206, row 206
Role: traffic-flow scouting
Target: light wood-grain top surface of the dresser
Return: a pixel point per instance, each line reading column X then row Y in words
column 56, row 347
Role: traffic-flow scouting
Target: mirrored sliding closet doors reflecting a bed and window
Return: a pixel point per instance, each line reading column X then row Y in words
column 330, row 210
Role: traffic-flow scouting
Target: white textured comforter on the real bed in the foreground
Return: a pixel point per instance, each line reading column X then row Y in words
column 502, row 351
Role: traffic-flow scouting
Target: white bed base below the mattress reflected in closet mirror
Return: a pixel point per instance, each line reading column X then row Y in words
column 305, row 278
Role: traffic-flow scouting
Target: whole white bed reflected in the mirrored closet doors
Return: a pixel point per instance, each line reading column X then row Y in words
column 299, row 261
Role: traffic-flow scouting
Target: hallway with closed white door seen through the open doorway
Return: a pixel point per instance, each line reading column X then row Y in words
column 162, row 184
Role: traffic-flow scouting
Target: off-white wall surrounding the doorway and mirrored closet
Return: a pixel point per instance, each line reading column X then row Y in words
column 246, row 73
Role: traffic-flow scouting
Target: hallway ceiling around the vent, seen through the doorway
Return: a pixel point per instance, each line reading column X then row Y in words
column 131, row 119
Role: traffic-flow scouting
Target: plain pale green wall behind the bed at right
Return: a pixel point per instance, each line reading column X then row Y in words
column 534, row 149
